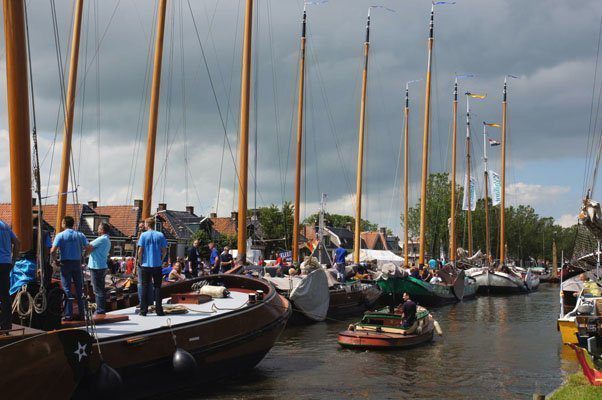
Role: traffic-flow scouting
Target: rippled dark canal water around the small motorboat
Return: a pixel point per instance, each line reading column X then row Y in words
column 492, row 347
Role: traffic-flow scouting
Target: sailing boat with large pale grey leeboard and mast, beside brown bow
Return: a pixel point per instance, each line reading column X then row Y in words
column 317, row 295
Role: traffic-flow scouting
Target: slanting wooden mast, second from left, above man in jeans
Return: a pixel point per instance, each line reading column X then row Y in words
column 69, row 112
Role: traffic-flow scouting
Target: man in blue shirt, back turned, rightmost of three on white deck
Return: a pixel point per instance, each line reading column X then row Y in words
column 152, row 249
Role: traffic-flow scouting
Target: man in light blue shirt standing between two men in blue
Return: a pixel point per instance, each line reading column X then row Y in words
column 97, row 264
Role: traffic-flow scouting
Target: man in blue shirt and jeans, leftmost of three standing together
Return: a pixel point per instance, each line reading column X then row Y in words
column 71, row 245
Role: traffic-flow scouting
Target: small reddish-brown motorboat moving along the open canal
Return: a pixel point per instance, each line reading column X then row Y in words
column 382, row 330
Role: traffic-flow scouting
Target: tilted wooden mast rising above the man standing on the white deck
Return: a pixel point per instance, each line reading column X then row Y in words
column 154, row 112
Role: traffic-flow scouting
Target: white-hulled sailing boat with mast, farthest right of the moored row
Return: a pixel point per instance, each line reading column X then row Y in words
column 506, row 279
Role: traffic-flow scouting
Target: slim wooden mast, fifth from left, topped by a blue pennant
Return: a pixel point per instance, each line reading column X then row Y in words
column 297, row 208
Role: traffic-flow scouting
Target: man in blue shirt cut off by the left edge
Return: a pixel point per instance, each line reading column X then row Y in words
column 9, row 249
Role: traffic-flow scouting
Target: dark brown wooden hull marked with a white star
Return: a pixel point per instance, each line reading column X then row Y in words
column 44, row 366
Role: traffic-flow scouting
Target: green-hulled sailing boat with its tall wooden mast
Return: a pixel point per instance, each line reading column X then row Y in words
column 454, row 287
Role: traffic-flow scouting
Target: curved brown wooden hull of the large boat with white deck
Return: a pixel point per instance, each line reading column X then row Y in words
column 221, row 345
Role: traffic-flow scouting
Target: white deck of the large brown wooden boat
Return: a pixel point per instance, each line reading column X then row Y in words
column 139, row 324
